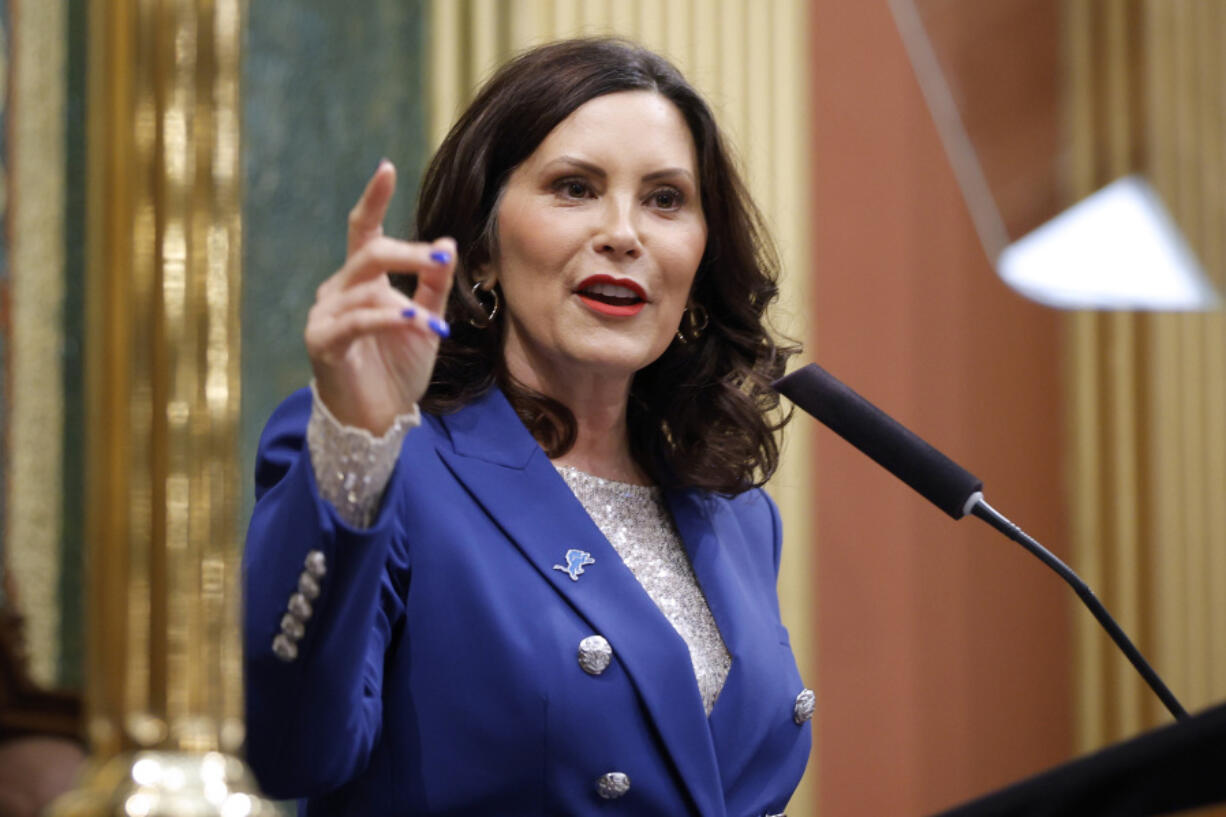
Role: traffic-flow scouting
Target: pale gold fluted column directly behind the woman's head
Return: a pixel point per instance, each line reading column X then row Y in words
column 750, row 61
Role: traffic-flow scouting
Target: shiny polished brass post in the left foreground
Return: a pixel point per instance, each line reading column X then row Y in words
column 164, row 239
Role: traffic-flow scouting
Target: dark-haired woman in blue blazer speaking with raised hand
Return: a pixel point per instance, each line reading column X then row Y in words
column 511, row 555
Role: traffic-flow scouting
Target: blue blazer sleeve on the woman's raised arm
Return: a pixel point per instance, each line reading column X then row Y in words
column 312, row 722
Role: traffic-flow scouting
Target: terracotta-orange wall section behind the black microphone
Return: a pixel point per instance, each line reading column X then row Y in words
column 945, row 650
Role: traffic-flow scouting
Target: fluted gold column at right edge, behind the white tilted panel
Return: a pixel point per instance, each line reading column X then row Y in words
column 1148, row 94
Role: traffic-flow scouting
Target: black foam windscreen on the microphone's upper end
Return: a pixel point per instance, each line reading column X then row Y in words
column 937, row 478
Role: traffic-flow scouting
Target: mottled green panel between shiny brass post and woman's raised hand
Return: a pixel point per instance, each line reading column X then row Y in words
column 329, row 90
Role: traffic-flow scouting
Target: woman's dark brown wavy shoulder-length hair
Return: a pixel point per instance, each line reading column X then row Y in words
column 703, row 414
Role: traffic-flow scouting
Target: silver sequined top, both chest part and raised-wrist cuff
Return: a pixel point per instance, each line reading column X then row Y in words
column 352, row 468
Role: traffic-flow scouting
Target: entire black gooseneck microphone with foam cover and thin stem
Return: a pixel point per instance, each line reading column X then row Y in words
column 943, row 483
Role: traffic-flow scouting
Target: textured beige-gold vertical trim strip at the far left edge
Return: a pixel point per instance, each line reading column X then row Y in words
column 36, row 377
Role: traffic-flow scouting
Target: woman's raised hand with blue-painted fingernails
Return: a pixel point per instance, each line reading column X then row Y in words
column 373, row 349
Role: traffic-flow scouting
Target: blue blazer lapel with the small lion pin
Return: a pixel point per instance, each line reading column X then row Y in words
column 508, row 474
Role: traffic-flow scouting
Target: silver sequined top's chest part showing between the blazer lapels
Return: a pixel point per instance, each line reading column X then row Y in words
column 637, row 523
